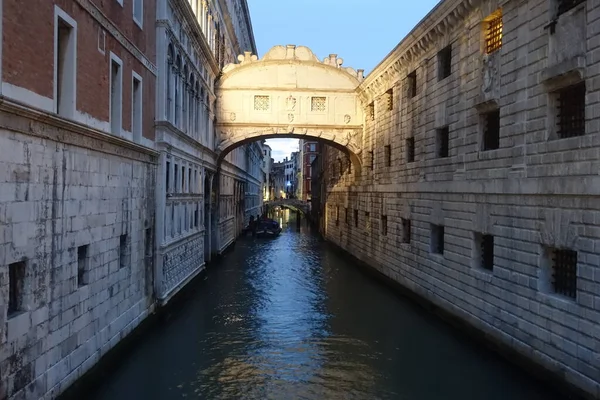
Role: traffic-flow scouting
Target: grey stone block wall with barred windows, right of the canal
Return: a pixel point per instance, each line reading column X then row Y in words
column 514, row 204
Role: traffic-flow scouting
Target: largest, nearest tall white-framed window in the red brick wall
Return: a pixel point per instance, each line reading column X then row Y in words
column 65, row 64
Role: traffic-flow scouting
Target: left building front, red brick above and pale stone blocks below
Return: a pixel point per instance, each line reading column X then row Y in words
column 77, row 186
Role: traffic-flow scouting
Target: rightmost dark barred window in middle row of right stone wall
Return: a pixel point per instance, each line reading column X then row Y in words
column 571, row 111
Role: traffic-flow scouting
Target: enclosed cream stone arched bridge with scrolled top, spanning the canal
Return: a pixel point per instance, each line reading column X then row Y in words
column 289, row 93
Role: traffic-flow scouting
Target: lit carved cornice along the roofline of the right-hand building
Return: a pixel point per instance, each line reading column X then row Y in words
column 440, row 22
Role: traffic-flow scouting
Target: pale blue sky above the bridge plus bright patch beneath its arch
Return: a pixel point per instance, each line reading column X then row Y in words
column 360, row 32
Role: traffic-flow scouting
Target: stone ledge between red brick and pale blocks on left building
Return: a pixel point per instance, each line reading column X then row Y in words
column 50, row 126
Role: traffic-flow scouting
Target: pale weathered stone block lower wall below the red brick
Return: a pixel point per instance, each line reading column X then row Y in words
column 76, row 248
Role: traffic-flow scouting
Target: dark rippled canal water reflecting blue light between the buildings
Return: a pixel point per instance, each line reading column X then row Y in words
column 288, row 318
